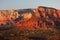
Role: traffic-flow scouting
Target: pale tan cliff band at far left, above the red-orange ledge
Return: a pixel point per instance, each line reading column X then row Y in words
column 9, row 14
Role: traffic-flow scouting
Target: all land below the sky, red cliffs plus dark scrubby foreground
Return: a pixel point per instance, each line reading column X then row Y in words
column 41, row 23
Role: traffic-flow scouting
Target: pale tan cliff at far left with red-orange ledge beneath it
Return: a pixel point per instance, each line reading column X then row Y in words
column 8, row 15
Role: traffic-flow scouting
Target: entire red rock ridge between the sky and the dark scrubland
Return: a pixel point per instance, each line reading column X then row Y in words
column 45, row 18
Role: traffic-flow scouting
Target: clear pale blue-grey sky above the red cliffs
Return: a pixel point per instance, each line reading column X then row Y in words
column 22, row 4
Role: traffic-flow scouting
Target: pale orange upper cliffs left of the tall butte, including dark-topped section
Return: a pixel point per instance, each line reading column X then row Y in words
column 15, row 15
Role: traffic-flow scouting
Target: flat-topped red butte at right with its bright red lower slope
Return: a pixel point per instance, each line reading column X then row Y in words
column 45, row 18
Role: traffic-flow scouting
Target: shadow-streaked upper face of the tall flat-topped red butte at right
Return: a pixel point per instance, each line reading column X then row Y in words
column 49, row 16
